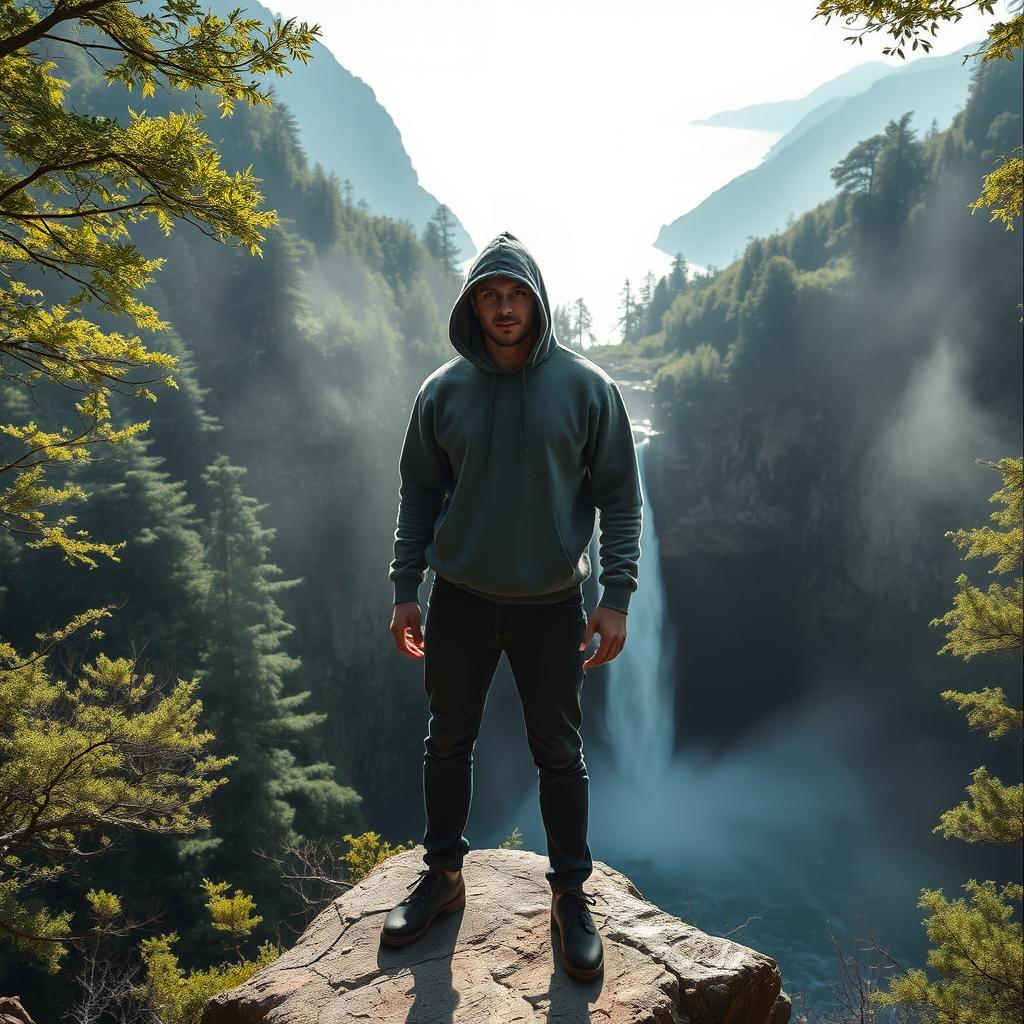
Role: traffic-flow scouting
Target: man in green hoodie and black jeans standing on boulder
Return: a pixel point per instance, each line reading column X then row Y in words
column 511, row 448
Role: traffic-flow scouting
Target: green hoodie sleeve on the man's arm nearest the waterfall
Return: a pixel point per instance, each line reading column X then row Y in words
column 615, row 479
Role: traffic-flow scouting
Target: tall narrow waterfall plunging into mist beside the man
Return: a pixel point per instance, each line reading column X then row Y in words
column 638, row 722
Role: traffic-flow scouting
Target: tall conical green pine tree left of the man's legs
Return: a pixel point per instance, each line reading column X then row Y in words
column 273, row 798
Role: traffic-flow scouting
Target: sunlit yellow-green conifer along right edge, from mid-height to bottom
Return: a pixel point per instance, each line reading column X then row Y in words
column 979, row 956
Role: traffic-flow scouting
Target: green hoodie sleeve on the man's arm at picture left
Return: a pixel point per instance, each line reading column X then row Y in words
column 424, row 484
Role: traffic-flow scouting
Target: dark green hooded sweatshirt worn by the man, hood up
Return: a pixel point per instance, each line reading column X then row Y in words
column 503, row 473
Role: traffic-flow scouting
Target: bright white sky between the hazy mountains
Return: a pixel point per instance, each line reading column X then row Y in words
column 566, row 121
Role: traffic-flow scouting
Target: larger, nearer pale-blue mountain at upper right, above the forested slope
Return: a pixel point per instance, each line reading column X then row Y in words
column 795, row 176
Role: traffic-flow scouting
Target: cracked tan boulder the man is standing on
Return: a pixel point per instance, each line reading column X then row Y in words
column 495, row 962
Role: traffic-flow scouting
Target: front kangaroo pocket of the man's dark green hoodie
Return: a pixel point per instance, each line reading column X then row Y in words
column 503, row 550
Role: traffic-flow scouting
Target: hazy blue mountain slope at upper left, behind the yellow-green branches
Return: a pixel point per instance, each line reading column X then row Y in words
column 345, row 130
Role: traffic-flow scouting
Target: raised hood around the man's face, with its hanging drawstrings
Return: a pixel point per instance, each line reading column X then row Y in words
column 505, row 257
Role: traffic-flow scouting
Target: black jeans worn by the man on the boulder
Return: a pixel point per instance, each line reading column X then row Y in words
column 464, row 636
